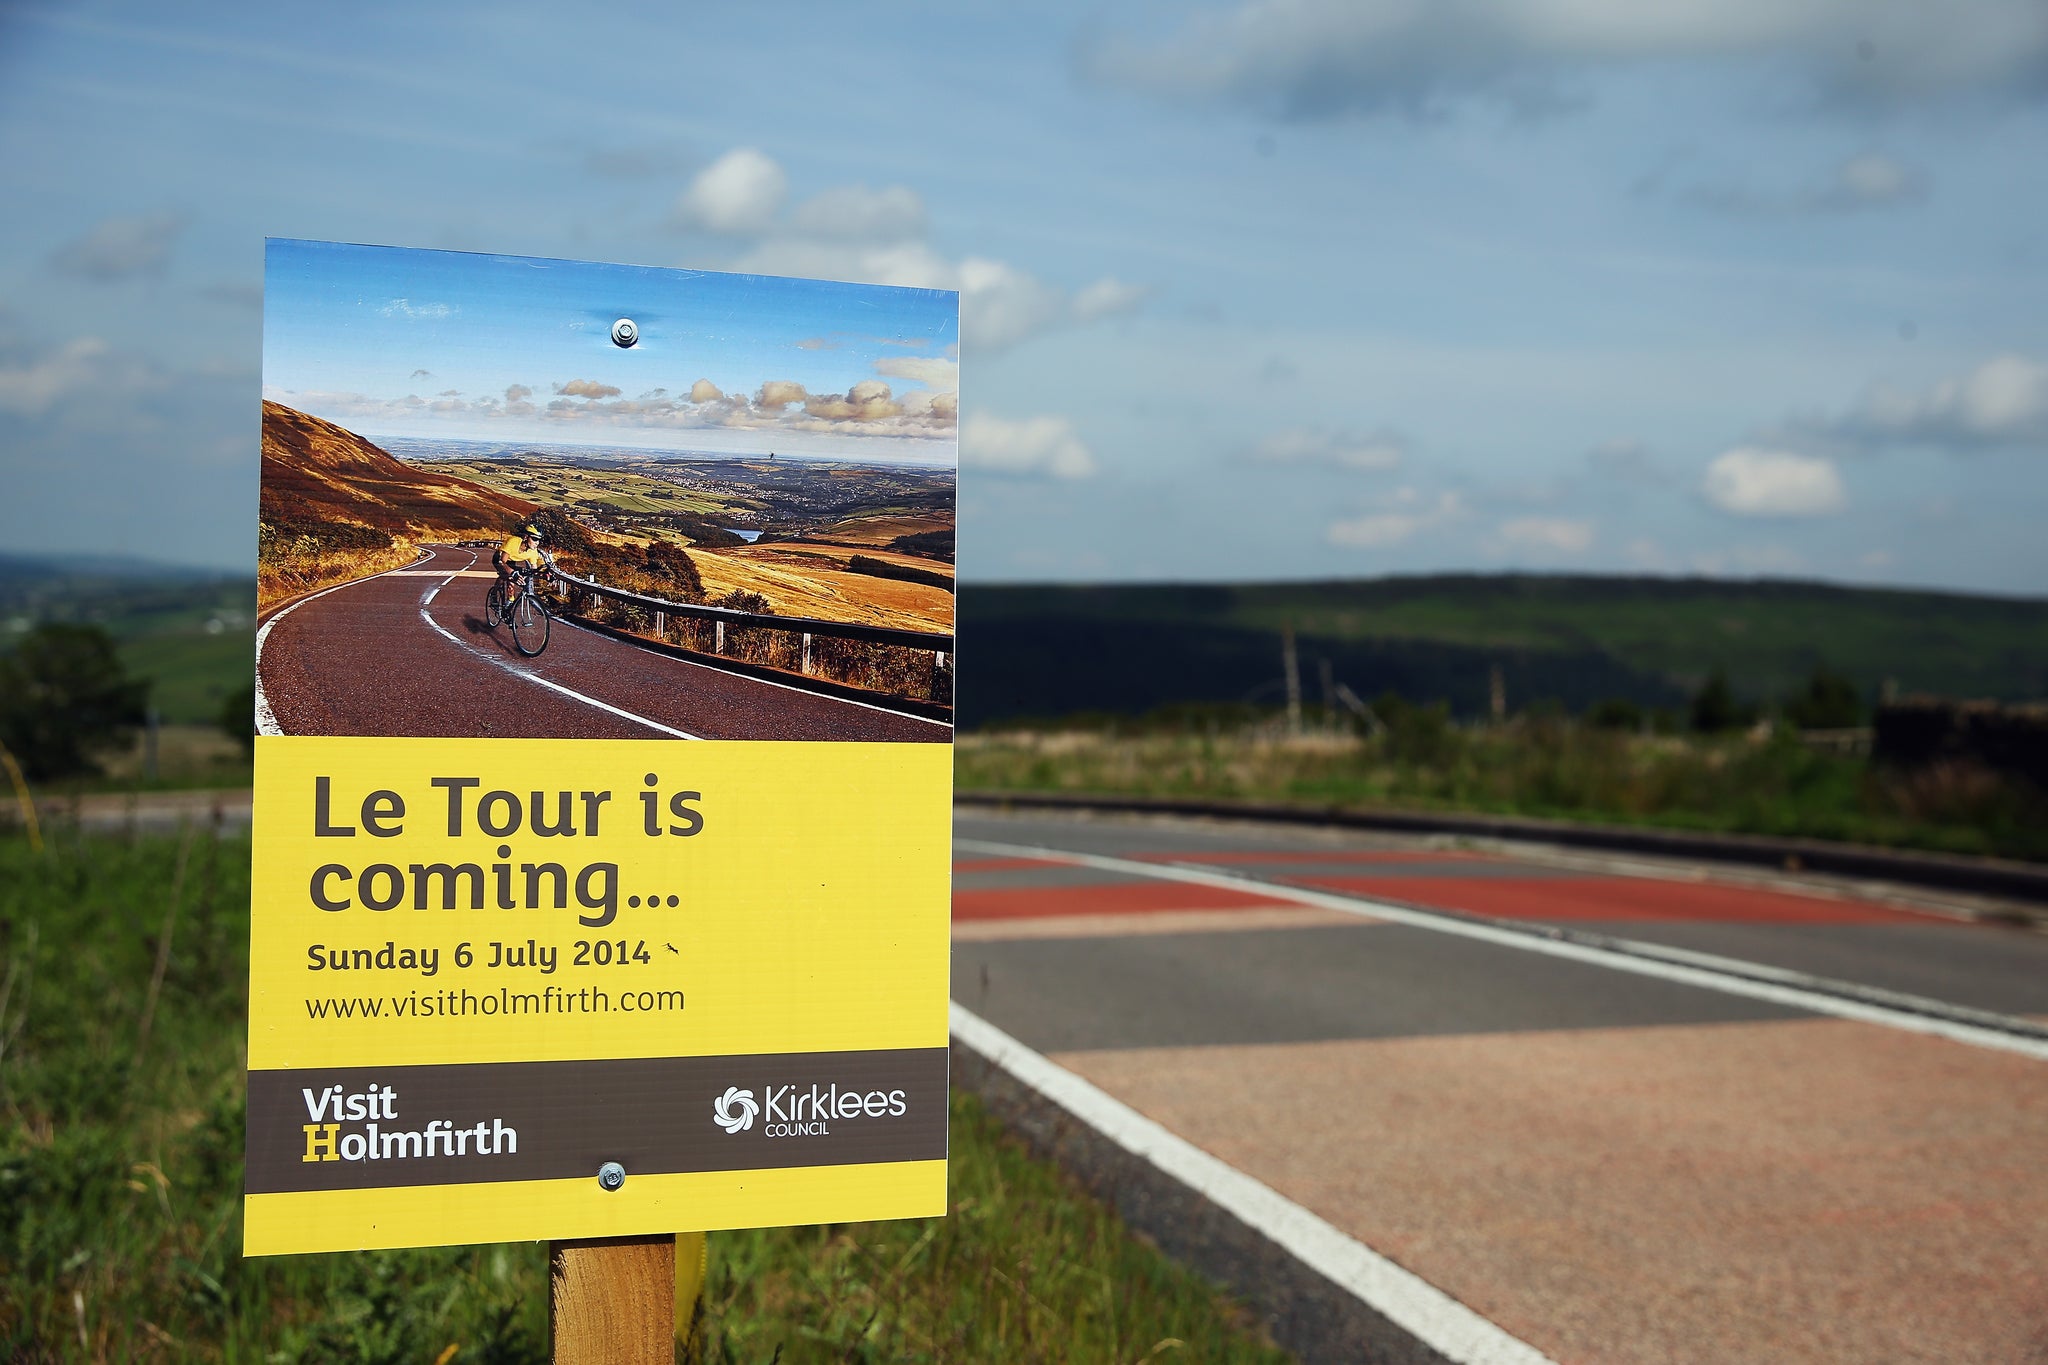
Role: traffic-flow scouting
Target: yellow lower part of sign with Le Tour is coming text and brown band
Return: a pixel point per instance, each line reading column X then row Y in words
column 486, row 969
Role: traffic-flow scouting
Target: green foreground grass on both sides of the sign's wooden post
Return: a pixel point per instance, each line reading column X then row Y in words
column 122, row 1018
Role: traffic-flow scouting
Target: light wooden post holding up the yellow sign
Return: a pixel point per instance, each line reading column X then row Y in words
column 613, row 1301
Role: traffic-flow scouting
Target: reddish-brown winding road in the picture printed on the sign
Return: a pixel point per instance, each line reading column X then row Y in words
column 409, row 654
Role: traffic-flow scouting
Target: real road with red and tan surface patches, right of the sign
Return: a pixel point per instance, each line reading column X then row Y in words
column 1627, row 1112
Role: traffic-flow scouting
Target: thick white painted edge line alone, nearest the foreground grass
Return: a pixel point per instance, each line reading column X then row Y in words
column 1410, row 1303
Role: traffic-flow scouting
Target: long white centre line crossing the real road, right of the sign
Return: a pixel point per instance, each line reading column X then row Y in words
column 1777, row 992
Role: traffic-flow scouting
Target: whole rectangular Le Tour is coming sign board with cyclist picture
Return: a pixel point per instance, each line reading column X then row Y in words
column 603, row 781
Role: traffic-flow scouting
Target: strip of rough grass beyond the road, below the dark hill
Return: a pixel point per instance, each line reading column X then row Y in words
column 1545, row 768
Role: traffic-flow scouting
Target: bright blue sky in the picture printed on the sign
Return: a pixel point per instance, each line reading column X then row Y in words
column 517, row 349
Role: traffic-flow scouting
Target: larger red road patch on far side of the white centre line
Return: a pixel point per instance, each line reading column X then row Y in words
column 1613, row 899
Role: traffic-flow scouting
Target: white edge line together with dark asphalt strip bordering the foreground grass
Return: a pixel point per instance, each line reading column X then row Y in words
column 1320, row 1292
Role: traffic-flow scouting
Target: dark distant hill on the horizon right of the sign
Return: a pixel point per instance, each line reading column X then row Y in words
column 1050, row 652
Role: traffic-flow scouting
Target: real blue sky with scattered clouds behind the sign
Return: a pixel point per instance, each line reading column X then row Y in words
column 1248, row 292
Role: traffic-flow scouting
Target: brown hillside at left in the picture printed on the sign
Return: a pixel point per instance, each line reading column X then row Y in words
column 318, row 472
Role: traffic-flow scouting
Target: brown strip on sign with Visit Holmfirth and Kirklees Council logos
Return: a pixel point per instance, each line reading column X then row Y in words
column 382, row 1127
